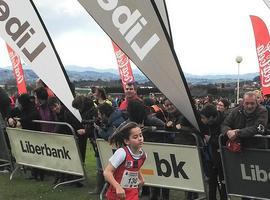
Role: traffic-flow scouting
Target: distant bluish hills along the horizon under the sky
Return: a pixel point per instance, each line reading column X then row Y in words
column 91, row 73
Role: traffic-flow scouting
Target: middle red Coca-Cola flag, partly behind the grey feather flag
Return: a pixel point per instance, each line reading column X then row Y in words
column 124, row 66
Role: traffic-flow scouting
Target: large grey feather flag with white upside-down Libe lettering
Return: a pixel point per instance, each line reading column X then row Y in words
column 136, row 28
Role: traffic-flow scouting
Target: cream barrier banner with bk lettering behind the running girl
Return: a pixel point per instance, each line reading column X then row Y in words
column 168, row 166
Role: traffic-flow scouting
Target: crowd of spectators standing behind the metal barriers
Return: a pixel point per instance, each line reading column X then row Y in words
column 101, row 115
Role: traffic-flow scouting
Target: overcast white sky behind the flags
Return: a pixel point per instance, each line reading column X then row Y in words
column 208, row 35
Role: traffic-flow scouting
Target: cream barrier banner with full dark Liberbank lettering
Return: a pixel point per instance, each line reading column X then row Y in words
column 56, row 152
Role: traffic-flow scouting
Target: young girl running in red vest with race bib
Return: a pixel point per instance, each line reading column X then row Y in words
column 123, row 171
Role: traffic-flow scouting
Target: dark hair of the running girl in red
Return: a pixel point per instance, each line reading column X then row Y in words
column 122, row 133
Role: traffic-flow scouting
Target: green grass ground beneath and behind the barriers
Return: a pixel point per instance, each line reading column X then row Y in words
column 19, row 188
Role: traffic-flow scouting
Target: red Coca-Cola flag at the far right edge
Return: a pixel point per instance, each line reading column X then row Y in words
column 263, row 51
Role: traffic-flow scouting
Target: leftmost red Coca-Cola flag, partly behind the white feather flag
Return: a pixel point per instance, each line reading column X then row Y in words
column 17, row 70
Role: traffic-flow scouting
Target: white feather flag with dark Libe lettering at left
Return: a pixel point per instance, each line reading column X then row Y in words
column 22, row 28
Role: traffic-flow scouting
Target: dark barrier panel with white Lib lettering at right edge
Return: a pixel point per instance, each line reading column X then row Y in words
column 247, row 173
